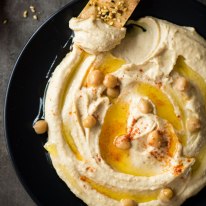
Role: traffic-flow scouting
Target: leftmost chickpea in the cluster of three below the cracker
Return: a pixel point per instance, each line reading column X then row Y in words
column 95, row 78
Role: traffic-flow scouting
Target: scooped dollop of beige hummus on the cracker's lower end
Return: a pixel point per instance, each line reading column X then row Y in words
column 94, row 36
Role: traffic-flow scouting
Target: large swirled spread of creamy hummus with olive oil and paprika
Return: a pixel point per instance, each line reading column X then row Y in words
column 157, row 63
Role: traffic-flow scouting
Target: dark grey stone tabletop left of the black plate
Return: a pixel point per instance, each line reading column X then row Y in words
column 13, row 36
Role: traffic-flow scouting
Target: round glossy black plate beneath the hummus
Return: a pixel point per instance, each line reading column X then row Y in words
column 27, row 85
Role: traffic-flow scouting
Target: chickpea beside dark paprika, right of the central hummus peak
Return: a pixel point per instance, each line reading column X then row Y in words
column 154, row 139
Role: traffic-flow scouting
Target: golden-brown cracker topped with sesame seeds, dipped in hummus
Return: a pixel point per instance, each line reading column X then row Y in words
column 113, row 12
